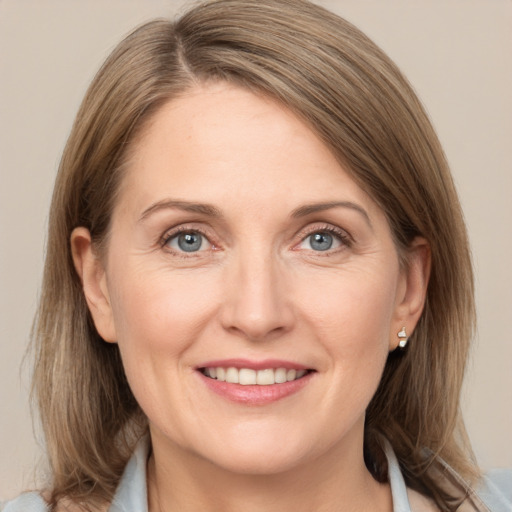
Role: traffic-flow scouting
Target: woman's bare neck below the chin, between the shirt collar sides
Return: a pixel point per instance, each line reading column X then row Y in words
column 179, row 481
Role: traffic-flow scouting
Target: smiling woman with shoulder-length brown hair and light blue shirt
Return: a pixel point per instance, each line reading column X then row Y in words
column 267, row 298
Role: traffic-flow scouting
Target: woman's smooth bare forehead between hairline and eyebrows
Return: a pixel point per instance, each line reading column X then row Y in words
column 224, row 145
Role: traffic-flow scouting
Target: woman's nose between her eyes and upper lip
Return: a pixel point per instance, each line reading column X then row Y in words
column 256, row 304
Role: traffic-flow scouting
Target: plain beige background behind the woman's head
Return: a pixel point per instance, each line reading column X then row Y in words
column 457, row 54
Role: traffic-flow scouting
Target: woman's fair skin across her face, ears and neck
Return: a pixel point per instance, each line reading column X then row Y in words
column 238, row 241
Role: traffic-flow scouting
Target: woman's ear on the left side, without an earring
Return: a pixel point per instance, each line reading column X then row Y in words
column 94, row 282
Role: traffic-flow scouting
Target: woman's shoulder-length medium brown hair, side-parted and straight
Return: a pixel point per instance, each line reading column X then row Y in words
column 353, row 96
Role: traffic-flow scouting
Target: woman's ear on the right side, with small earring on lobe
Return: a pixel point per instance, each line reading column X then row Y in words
column 411, row 290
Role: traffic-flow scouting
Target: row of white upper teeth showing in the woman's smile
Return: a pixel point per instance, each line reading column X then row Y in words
column 247, row 376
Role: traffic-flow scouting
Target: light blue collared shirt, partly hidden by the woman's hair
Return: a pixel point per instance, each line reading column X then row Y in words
column 494, row 494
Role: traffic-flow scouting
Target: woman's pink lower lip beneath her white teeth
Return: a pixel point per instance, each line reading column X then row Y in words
column 253, row 394
